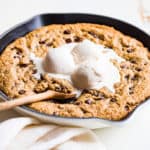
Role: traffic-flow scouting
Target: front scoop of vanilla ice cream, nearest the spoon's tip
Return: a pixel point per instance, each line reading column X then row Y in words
column 86, row 75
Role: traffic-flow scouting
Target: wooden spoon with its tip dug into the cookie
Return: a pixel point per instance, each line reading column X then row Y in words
column 33, row 98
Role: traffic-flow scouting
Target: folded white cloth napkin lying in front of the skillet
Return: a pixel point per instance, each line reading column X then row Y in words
column 24, row 133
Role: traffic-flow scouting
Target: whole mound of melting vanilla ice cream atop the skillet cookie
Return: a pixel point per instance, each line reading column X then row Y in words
column 85, row 64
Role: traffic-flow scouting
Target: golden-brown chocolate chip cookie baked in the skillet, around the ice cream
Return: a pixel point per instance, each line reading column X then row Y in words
column 17, row 72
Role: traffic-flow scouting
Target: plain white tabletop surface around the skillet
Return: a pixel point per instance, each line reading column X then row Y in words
column 134, row 135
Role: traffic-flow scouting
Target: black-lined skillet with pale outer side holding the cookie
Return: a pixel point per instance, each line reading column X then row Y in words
column 47, row 19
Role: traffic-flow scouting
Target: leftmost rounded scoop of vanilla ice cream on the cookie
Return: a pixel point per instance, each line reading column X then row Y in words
column 59, row 60
